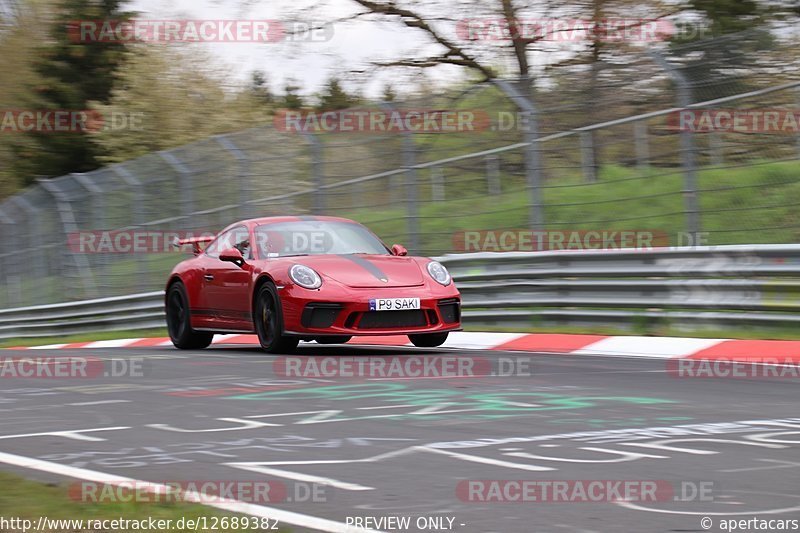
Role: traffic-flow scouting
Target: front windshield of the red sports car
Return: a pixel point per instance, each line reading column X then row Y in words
column 286, row 239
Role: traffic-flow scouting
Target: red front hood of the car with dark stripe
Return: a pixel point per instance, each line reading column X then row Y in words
column 366, row 271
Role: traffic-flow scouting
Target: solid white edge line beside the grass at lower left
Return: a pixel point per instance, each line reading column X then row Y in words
column 234, row 506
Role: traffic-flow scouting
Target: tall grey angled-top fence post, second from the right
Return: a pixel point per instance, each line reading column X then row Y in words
column 533, row 167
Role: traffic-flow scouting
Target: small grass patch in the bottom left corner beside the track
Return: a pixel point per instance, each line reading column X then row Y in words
column 26, row 499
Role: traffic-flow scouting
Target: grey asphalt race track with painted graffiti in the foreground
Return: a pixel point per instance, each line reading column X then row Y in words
column 399, row 447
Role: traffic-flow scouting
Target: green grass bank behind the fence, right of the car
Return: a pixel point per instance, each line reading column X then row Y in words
column 739, row 205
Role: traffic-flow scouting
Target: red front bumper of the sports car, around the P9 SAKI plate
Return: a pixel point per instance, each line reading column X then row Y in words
column 313, row 314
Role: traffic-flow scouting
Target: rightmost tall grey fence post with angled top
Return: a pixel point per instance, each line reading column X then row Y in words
column 684, row 101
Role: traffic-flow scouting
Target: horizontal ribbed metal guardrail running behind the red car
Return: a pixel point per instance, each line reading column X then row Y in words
column 724, row 286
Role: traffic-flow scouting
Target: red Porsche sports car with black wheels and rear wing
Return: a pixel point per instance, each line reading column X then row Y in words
column 298, row 278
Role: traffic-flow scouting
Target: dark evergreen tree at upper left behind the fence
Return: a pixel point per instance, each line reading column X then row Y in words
column 73, row 76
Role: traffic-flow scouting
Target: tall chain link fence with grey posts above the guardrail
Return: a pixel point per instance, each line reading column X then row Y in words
column 600, row 147
